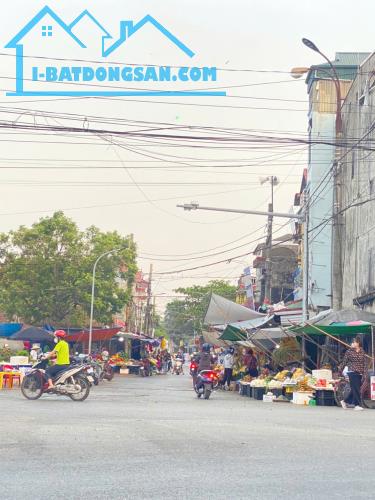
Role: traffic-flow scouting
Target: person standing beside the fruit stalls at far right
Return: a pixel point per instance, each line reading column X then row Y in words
column 357, row 367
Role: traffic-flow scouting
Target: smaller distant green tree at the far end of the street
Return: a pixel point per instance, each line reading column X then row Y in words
column 184, row 317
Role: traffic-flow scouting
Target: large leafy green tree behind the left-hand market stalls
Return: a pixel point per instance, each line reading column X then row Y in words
column 46, row 272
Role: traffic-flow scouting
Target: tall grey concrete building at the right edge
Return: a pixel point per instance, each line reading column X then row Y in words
column 356, row 181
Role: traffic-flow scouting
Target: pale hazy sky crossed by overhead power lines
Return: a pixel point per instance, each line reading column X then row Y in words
column 132, row 184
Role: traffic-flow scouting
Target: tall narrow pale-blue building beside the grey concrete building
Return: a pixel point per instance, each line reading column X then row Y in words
column 319, row 191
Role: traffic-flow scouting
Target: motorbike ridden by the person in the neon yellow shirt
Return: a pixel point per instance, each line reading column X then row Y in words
column 71, row 382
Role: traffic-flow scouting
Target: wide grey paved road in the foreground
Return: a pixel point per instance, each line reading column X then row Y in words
column 151, row 438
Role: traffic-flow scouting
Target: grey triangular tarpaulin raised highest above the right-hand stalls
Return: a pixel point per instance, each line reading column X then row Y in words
column 222, row 311
